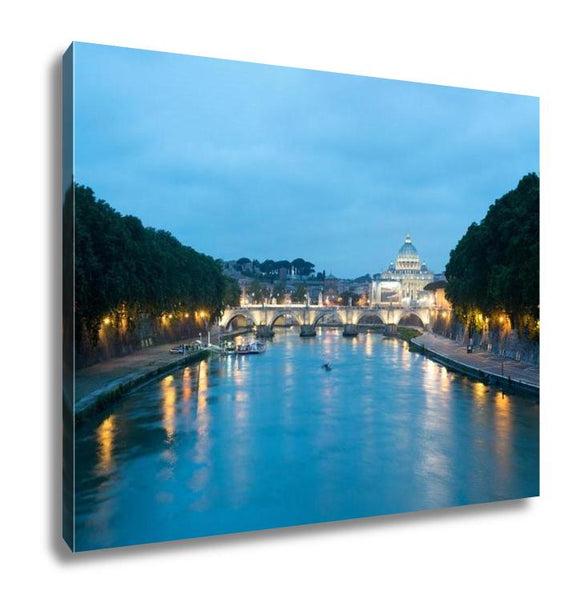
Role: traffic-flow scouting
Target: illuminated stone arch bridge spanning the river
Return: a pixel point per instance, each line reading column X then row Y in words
column 310, row 316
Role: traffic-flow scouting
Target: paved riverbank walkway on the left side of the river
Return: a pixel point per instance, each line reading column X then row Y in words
column 103, row 382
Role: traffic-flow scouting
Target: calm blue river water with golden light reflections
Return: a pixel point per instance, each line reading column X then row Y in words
column 243, row 443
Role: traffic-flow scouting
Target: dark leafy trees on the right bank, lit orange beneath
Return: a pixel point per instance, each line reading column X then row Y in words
column 494, row 269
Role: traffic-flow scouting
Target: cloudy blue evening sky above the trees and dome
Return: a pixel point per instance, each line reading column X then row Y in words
column 239, row 159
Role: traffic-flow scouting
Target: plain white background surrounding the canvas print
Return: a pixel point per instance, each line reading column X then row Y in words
column 509, row 557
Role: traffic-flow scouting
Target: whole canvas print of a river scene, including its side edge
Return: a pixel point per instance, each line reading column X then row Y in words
column 291, row 297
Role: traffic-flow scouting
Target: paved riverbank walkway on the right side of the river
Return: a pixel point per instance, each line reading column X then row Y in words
column 473, row 363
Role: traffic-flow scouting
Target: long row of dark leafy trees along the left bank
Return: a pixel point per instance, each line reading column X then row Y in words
column 124, row 268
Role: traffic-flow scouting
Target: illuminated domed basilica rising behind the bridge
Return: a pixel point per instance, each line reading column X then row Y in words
column 403, row 282
